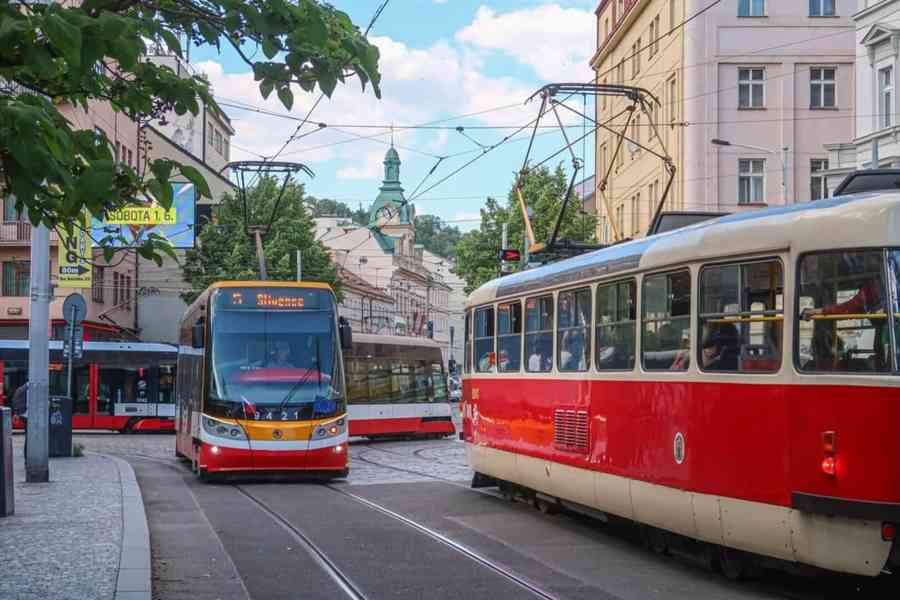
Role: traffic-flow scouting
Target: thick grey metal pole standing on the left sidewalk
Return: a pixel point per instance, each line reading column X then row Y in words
column 37, row 463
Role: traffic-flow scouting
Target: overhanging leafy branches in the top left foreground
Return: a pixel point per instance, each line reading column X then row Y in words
column 72, row 55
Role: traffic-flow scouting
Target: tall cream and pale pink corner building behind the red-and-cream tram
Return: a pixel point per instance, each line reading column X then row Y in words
column 760, row 77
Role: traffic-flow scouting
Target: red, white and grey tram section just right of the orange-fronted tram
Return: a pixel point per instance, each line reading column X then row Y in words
column 397, row 386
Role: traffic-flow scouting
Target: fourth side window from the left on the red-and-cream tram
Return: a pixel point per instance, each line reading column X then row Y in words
column 573, row 314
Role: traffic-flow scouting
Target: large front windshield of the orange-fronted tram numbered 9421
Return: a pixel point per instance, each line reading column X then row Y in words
column 275, row 363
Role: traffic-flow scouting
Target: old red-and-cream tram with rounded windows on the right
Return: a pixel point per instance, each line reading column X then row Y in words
column 734, row 382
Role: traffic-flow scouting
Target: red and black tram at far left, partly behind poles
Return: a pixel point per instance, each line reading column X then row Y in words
column 123, row 386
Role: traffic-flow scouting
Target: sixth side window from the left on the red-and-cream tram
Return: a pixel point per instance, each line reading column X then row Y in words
column 666, row 321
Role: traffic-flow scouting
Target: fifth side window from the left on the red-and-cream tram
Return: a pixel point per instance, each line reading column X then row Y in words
column 616, row 325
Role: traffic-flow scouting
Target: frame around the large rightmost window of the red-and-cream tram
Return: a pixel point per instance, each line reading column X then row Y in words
column 894, row 370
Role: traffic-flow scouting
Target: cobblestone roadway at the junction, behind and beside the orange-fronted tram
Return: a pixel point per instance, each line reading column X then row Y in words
column 392, row 461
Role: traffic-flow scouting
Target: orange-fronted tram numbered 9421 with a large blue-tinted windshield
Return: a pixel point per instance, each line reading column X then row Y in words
column 260, row 380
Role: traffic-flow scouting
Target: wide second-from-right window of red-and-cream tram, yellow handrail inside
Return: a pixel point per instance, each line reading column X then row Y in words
column 741, row 317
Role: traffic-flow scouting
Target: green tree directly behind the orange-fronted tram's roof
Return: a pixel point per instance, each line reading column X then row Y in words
column 226, row 252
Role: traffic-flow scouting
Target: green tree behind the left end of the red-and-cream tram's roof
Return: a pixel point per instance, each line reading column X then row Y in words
column 543, row 190
